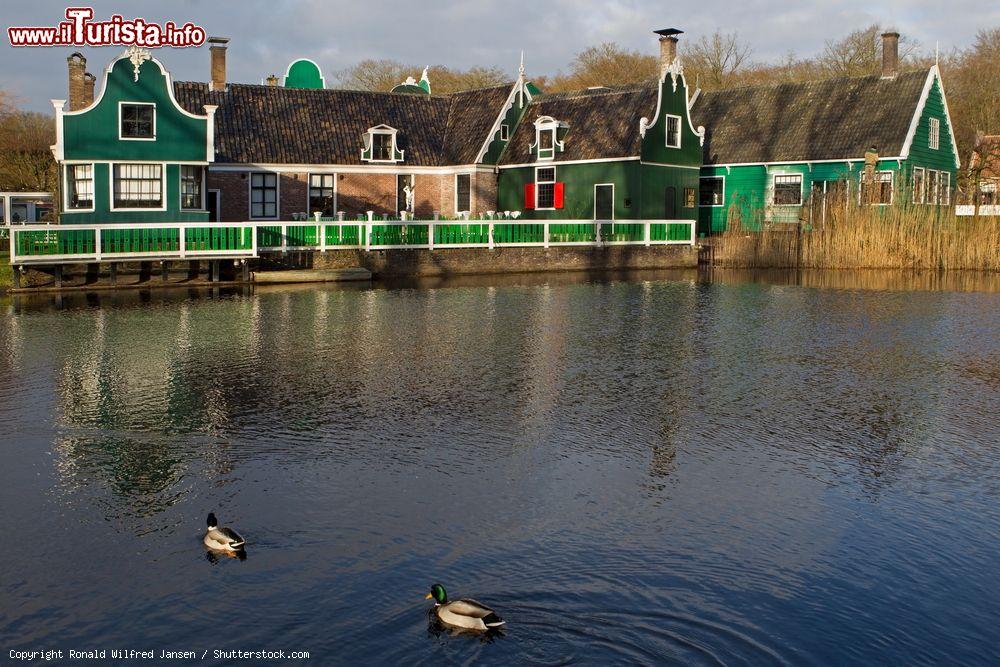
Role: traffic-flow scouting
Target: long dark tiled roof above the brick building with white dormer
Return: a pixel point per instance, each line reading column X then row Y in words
column 274, row 125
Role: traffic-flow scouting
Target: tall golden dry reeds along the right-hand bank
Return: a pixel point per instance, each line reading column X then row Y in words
column 868, row 238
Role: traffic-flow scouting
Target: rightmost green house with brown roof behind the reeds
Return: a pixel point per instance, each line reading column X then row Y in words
column 780, row 153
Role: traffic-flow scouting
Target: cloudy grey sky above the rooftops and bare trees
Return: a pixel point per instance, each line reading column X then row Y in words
column 267, row 34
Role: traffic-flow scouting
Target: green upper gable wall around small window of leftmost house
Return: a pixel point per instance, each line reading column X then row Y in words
column 93, row 134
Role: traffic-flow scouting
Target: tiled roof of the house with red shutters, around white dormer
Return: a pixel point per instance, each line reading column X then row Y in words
column 602, row 123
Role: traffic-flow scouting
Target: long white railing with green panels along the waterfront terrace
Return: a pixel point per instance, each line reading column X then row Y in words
column 53, row 244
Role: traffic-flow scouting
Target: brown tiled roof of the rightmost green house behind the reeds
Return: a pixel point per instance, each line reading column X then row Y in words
column 817, row 120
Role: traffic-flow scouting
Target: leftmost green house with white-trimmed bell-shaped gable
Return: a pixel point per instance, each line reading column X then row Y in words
column 134, row 154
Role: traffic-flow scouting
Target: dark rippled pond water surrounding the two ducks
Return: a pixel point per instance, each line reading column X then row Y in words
column 629, row 471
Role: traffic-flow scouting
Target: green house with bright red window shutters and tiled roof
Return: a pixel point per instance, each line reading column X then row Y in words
column 624, row 153
